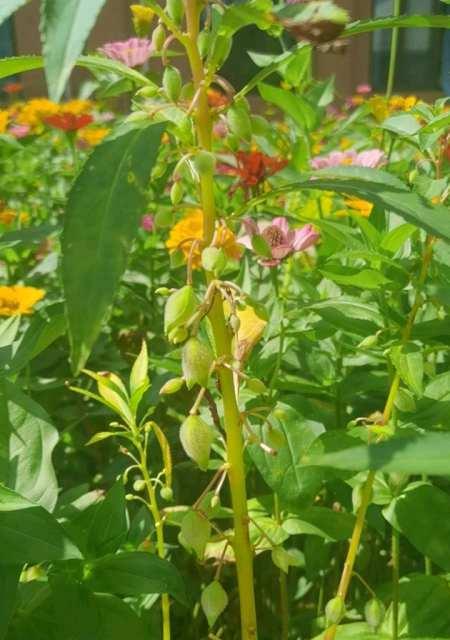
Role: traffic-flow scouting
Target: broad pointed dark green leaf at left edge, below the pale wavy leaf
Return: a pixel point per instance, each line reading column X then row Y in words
column 29, row 534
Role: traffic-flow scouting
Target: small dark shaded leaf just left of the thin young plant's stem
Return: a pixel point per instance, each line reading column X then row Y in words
column 108, row 525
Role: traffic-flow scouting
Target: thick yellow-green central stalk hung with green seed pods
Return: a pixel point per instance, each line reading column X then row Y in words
column 232, row 419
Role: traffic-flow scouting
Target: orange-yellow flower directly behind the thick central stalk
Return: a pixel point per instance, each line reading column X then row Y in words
column 190, row 229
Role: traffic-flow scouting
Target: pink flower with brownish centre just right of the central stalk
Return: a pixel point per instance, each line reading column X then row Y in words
column 280, row 240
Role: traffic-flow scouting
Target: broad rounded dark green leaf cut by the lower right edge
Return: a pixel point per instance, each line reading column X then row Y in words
column 414, row 513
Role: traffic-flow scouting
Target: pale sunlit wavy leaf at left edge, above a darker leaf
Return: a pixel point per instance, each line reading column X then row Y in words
column 32, row 441
